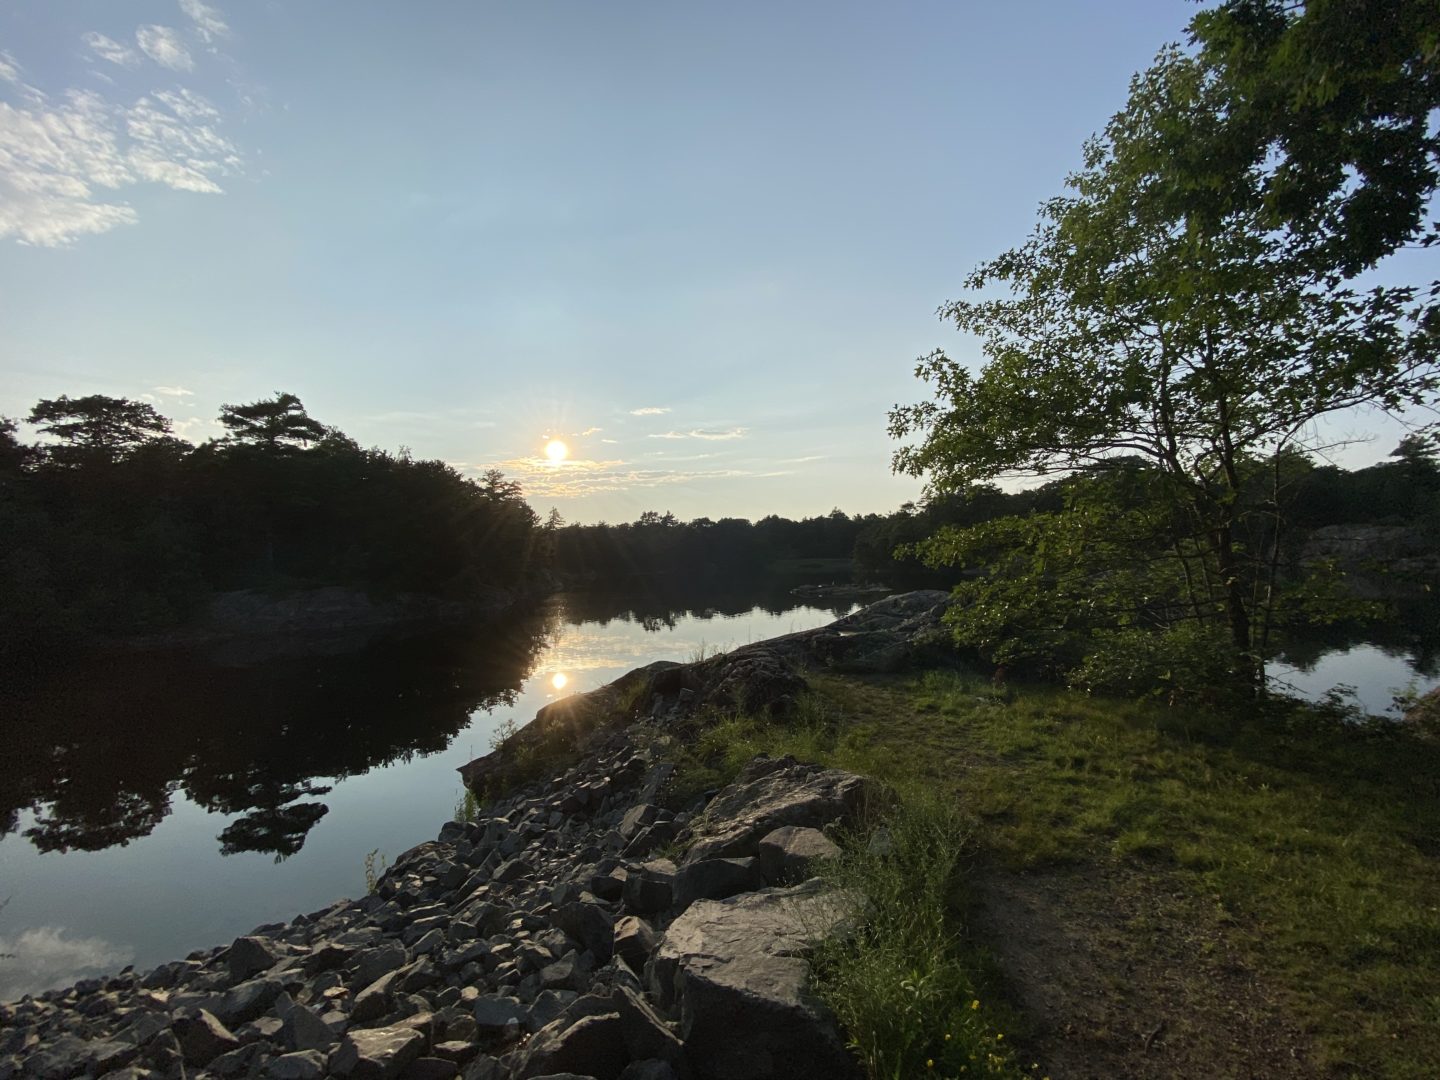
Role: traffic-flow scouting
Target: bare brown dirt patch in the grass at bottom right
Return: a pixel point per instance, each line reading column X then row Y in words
column 1121, row 980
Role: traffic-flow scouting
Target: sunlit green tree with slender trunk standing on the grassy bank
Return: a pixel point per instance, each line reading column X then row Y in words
column 1190, row 333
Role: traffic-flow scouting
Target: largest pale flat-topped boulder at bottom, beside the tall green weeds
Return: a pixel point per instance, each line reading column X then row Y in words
column 738, row 967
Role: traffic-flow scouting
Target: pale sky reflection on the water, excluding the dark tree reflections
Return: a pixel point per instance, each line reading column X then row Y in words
column 171, row 892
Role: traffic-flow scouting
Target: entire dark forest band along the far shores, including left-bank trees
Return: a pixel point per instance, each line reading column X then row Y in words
column 113, row 526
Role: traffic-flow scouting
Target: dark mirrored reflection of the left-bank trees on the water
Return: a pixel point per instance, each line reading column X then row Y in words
column 99, row 748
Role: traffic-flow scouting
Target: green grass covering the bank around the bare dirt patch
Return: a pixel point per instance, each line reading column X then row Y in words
column 1313, row 846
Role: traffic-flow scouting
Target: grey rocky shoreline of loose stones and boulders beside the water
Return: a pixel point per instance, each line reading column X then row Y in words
column 577, row 930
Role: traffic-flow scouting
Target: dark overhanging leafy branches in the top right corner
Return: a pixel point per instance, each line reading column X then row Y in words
column 1334, row 102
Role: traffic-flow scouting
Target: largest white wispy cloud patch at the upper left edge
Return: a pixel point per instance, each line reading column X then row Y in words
column 57, row 156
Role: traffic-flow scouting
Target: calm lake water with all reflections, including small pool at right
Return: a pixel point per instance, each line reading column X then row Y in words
column 155, row 804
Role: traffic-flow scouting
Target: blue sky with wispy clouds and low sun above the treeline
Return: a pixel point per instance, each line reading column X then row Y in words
column 701, row 244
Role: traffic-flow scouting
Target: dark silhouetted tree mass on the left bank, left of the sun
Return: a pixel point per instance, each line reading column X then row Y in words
column 116, row 526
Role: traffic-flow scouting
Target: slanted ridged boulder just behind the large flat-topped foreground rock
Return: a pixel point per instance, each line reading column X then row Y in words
column 770, row 794
